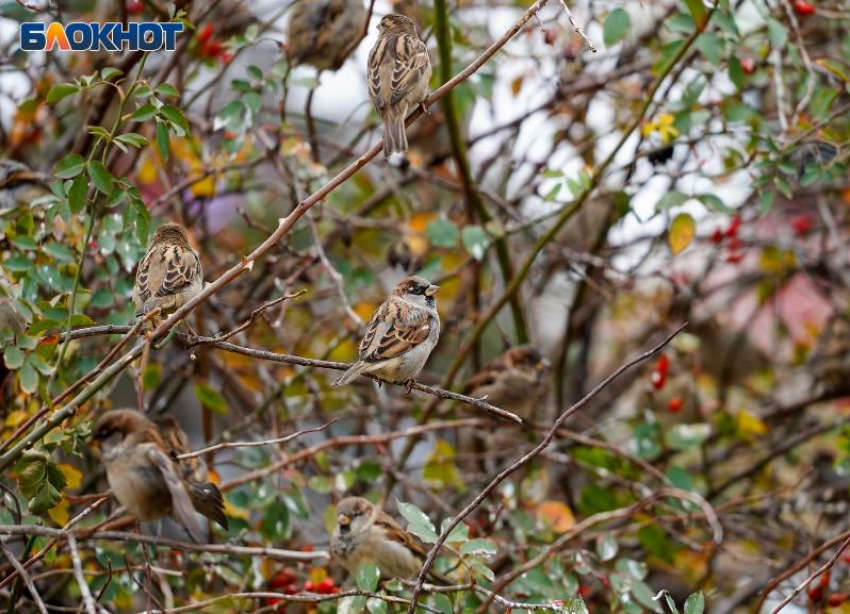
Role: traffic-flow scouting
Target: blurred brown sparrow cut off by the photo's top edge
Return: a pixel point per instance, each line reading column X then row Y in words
column 323, row 33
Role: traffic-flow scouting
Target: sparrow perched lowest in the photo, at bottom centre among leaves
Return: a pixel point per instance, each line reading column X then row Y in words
column 366, row 534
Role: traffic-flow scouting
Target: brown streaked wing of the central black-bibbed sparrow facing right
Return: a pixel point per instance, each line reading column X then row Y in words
column 395, row 328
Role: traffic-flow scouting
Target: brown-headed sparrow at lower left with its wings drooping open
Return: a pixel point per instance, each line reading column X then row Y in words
column 145, row 477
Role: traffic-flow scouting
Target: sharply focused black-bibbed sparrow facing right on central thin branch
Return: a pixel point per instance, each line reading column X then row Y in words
column 400, row 336
